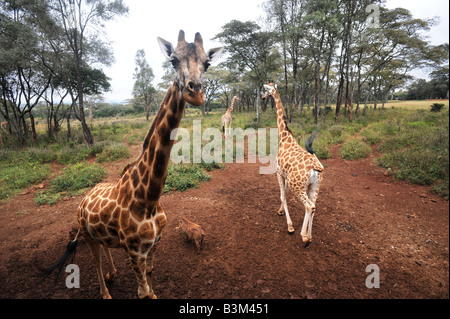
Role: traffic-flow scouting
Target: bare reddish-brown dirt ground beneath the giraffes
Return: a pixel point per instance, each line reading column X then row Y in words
column 363, row 217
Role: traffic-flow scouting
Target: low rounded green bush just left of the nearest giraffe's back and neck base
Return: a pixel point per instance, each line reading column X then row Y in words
column 78, row 176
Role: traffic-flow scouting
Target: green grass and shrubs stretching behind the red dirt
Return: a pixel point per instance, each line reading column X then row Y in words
column 413, row 142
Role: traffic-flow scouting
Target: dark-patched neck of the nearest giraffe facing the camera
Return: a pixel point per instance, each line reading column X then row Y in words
column 149, row 172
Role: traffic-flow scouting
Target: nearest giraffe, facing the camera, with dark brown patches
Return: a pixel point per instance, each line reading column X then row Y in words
column 127, row 214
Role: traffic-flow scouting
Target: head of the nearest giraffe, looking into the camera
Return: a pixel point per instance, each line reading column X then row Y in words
column 190, row 62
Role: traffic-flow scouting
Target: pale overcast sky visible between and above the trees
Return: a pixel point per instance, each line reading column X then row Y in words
column 148, row 20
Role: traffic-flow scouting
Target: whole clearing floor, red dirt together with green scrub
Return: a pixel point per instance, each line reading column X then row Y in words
column 384, row 202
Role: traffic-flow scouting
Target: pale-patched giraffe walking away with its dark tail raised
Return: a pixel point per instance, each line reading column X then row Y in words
column 298, row 170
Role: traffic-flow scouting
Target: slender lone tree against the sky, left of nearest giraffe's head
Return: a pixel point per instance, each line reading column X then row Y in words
column 143, row 76
